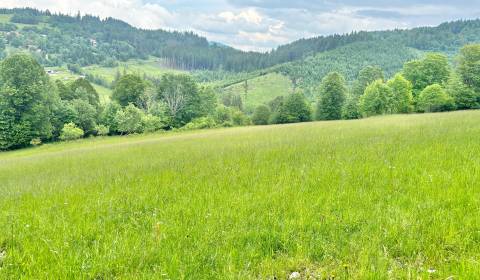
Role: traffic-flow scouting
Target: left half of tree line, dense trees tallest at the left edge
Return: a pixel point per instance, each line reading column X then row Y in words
column 34, row 109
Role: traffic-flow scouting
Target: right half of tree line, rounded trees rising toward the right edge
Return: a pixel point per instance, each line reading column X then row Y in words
column 429, row 84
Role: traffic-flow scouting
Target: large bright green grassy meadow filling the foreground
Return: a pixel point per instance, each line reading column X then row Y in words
column 381, row 198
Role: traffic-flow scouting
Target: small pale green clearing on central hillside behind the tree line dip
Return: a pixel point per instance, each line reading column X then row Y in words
column 262, row 89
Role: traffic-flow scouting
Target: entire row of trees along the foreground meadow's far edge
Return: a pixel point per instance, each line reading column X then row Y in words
column 35, row 109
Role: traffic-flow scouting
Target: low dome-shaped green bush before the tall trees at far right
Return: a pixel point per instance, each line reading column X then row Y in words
column 434, row 99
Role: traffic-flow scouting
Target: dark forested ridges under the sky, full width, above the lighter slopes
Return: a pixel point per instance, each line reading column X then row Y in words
column 57, row 39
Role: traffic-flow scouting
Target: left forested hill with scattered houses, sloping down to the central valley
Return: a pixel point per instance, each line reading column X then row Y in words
column 57, row 39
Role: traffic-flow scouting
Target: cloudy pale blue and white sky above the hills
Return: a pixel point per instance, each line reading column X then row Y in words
column 264, row 24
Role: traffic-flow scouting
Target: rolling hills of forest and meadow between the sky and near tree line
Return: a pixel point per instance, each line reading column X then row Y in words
column 101, row 48
